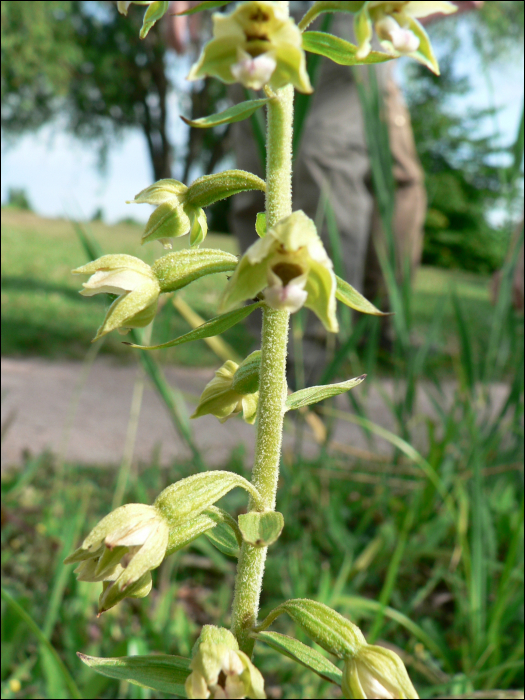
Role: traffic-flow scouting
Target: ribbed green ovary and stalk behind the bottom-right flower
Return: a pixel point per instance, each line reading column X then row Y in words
column 323, row 625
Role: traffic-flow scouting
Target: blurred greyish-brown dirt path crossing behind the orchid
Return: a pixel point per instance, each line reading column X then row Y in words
column 84, row 417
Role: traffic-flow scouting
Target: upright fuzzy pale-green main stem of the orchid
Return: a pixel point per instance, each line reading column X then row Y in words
column 272, row 388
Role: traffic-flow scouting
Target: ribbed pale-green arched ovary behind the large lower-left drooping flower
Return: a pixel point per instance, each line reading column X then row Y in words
column 188, row 498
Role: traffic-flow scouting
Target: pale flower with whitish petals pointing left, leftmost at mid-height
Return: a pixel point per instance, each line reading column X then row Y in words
column 134, row 282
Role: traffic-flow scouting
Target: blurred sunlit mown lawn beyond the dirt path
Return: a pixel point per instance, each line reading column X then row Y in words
column 43, row 314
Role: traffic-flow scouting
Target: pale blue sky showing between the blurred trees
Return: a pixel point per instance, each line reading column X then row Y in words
column 61, row 178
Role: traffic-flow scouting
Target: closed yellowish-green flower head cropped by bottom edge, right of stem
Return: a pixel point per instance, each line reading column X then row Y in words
column 376, row 672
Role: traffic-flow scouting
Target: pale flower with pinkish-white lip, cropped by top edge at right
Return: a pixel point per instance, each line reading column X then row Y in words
column 398, row 29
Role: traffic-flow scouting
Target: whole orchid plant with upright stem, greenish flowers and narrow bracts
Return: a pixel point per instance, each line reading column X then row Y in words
column 258, row 45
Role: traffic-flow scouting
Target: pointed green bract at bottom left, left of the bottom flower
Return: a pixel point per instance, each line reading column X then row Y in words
column 160, row 672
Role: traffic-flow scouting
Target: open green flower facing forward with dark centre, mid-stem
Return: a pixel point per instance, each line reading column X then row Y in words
column 291, row 265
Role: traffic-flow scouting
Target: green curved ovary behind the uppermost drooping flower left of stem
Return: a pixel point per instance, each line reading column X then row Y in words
column 208, row 189
